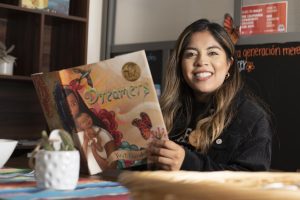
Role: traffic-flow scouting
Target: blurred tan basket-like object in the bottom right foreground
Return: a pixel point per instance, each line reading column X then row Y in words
column 224, row 185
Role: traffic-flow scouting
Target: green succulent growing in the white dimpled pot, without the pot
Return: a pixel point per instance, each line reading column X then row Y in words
column 66, row 143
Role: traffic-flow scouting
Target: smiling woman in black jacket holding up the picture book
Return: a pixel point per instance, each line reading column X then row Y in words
column 214, row 122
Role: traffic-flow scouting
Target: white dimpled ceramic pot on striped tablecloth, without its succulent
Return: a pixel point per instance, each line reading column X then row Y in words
column 57, row 170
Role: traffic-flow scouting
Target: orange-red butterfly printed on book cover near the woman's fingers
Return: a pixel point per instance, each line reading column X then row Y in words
column 143, row 124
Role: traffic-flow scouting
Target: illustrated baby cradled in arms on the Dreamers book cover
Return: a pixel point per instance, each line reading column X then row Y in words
column 96, row 142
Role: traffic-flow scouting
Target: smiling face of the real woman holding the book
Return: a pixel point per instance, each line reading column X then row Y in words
column 204, row 64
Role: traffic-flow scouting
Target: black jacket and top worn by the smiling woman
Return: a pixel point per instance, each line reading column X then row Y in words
column 246, row 144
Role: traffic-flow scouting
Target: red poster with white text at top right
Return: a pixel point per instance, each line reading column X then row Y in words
column 264, row 18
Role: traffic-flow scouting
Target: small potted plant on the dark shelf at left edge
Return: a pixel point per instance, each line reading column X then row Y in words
column 6, row 61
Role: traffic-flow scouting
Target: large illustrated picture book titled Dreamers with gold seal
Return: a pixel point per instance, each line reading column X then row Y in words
column 111, row 109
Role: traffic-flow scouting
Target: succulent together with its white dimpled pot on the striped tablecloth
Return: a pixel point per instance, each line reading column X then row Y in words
column 57, row 161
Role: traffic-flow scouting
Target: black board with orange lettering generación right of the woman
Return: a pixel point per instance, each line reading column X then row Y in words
column 273, row 72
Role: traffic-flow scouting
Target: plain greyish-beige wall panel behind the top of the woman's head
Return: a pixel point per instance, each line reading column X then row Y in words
column 139, row 21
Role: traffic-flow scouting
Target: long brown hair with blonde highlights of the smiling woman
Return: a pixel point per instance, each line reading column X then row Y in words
column 177, row 97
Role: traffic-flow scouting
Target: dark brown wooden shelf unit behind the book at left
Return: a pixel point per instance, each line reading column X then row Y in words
column 43, row 42
